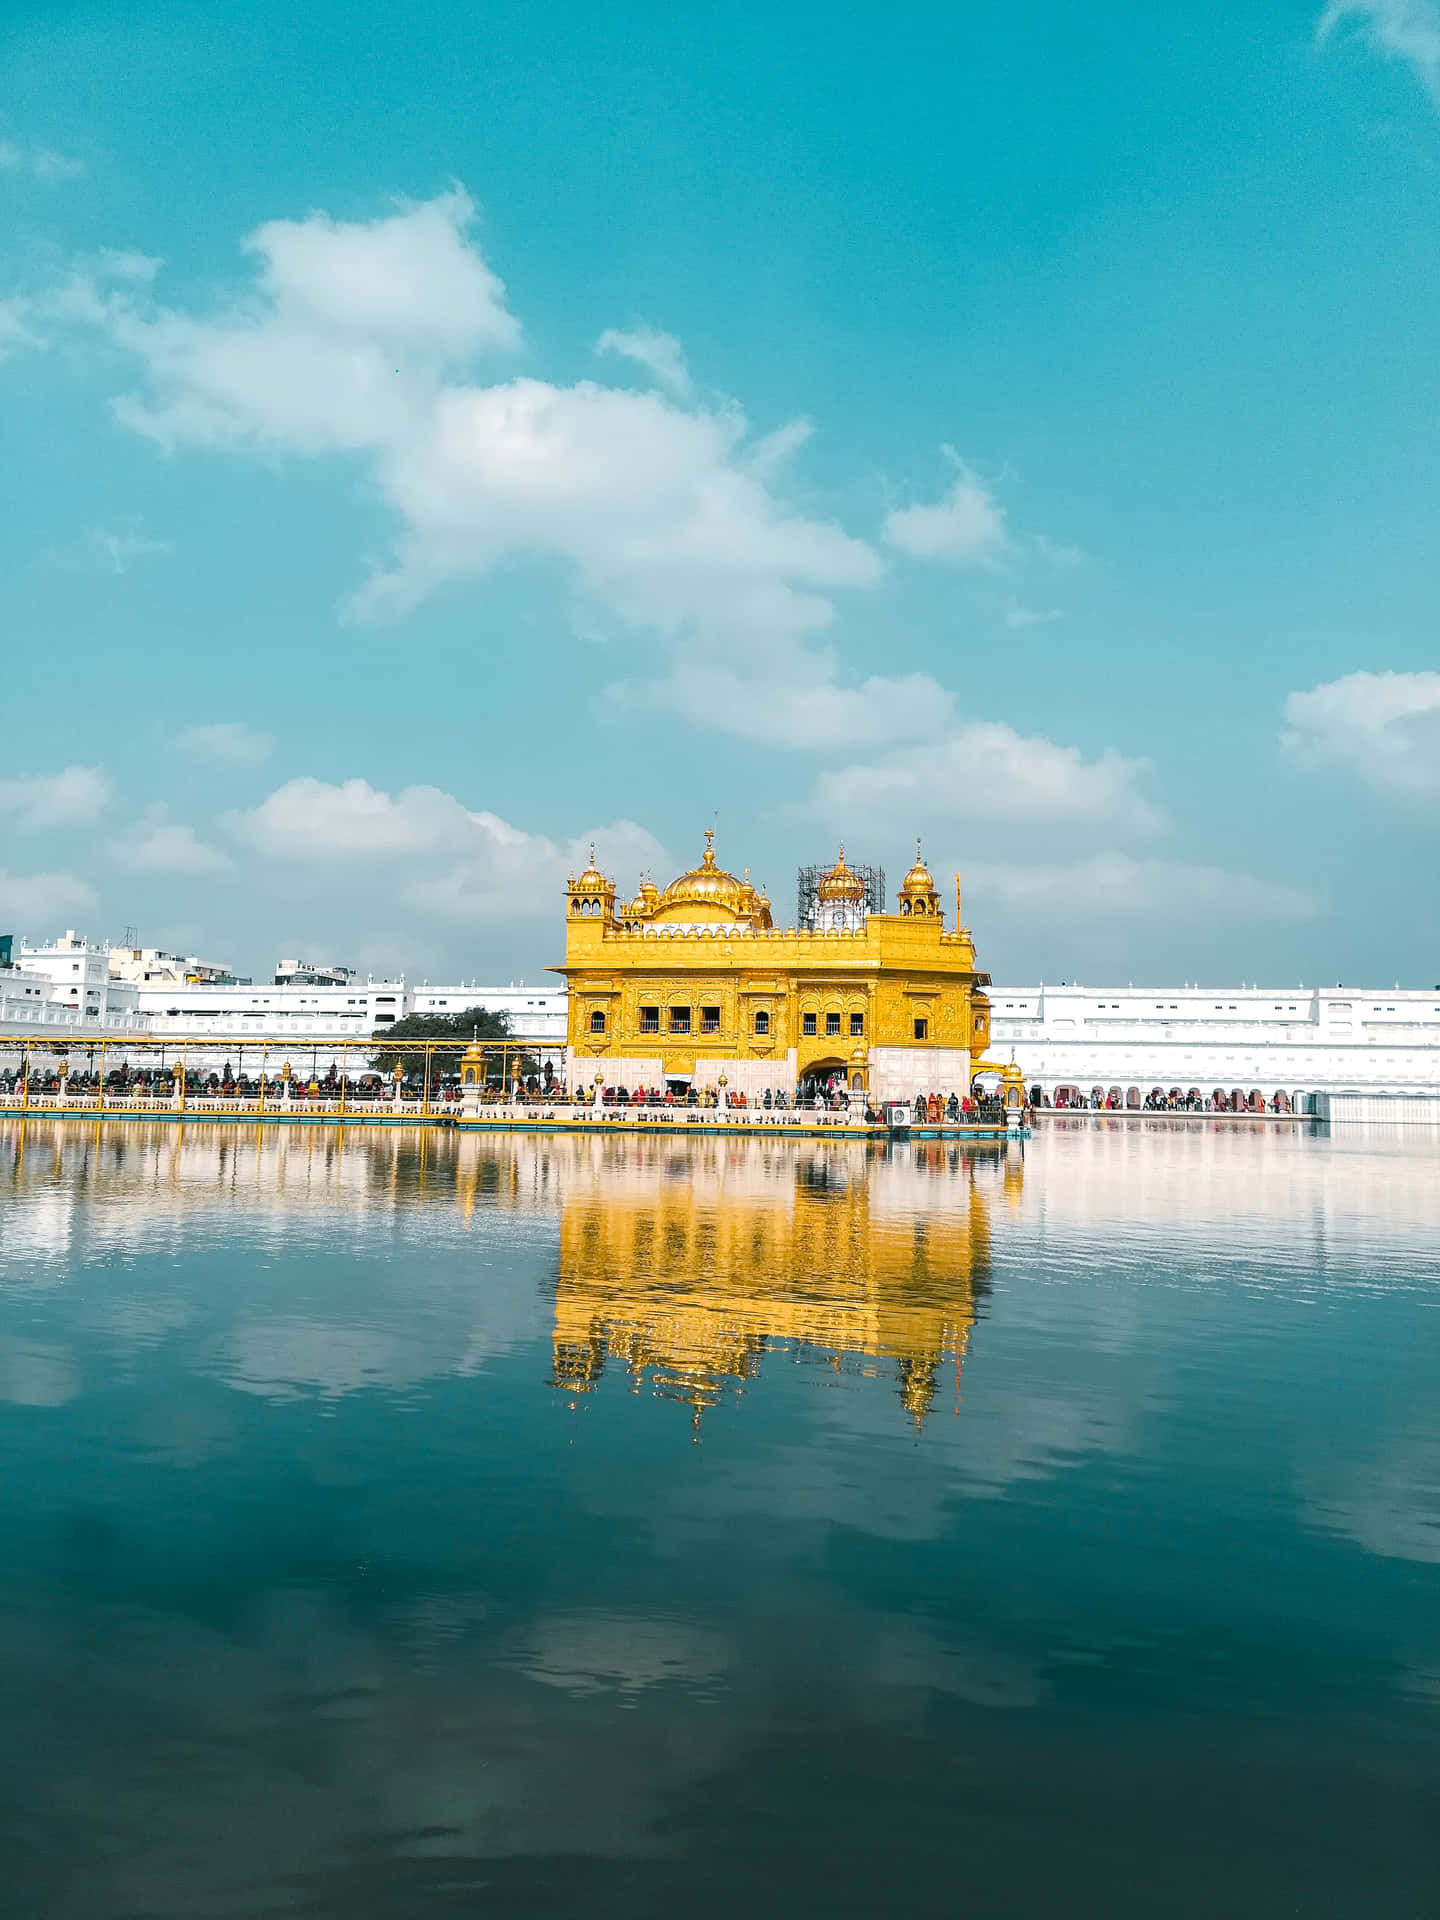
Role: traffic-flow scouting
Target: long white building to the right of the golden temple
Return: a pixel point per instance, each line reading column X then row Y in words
column 1251, row 1038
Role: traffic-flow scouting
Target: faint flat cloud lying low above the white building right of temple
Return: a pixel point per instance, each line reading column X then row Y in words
column 1116, row 886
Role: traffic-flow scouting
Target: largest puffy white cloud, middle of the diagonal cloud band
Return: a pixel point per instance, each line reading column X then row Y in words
column 648, row 502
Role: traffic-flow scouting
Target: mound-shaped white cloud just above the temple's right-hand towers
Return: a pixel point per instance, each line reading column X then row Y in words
column 988, row 771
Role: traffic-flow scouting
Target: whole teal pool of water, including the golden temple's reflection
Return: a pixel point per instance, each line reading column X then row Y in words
column 404, row 1527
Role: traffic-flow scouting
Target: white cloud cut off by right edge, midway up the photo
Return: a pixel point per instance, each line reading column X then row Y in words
column 1383, row 729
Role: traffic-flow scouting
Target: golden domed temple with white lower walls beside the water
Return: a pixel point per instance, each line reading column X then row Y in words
column 698, row 986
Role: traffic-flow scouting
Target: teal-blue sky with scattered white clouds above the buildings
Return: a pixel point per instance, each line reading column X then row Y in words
column 435, row 441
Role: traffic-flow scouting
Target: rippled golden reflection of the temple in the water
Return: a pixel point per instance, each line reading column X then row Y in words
column 688, row 1268
